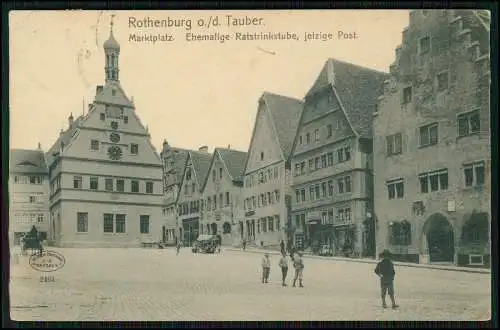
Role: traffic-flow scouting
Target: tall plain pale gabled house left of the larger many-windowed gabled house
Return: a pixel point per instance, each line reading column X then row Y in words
column 267, row 169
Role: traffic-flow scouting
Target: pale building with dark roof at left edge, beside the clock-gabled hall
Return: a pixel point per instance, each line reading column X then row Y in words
column 29, row 193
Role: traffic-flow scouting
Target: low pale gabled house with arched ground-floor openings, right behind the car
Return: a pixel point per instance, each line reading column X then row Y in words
column 222, row 193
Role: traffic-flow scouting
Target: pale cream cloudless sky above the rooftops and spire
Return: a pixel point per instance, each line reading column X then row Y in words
column 190, row 93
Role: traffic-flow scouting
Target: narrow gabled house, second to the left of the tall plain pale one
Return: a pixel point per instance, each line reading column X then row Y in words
column 190, row 200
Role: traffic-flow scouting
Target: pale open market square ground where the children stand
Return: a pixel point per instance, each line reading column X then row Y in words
column 157, row 285
